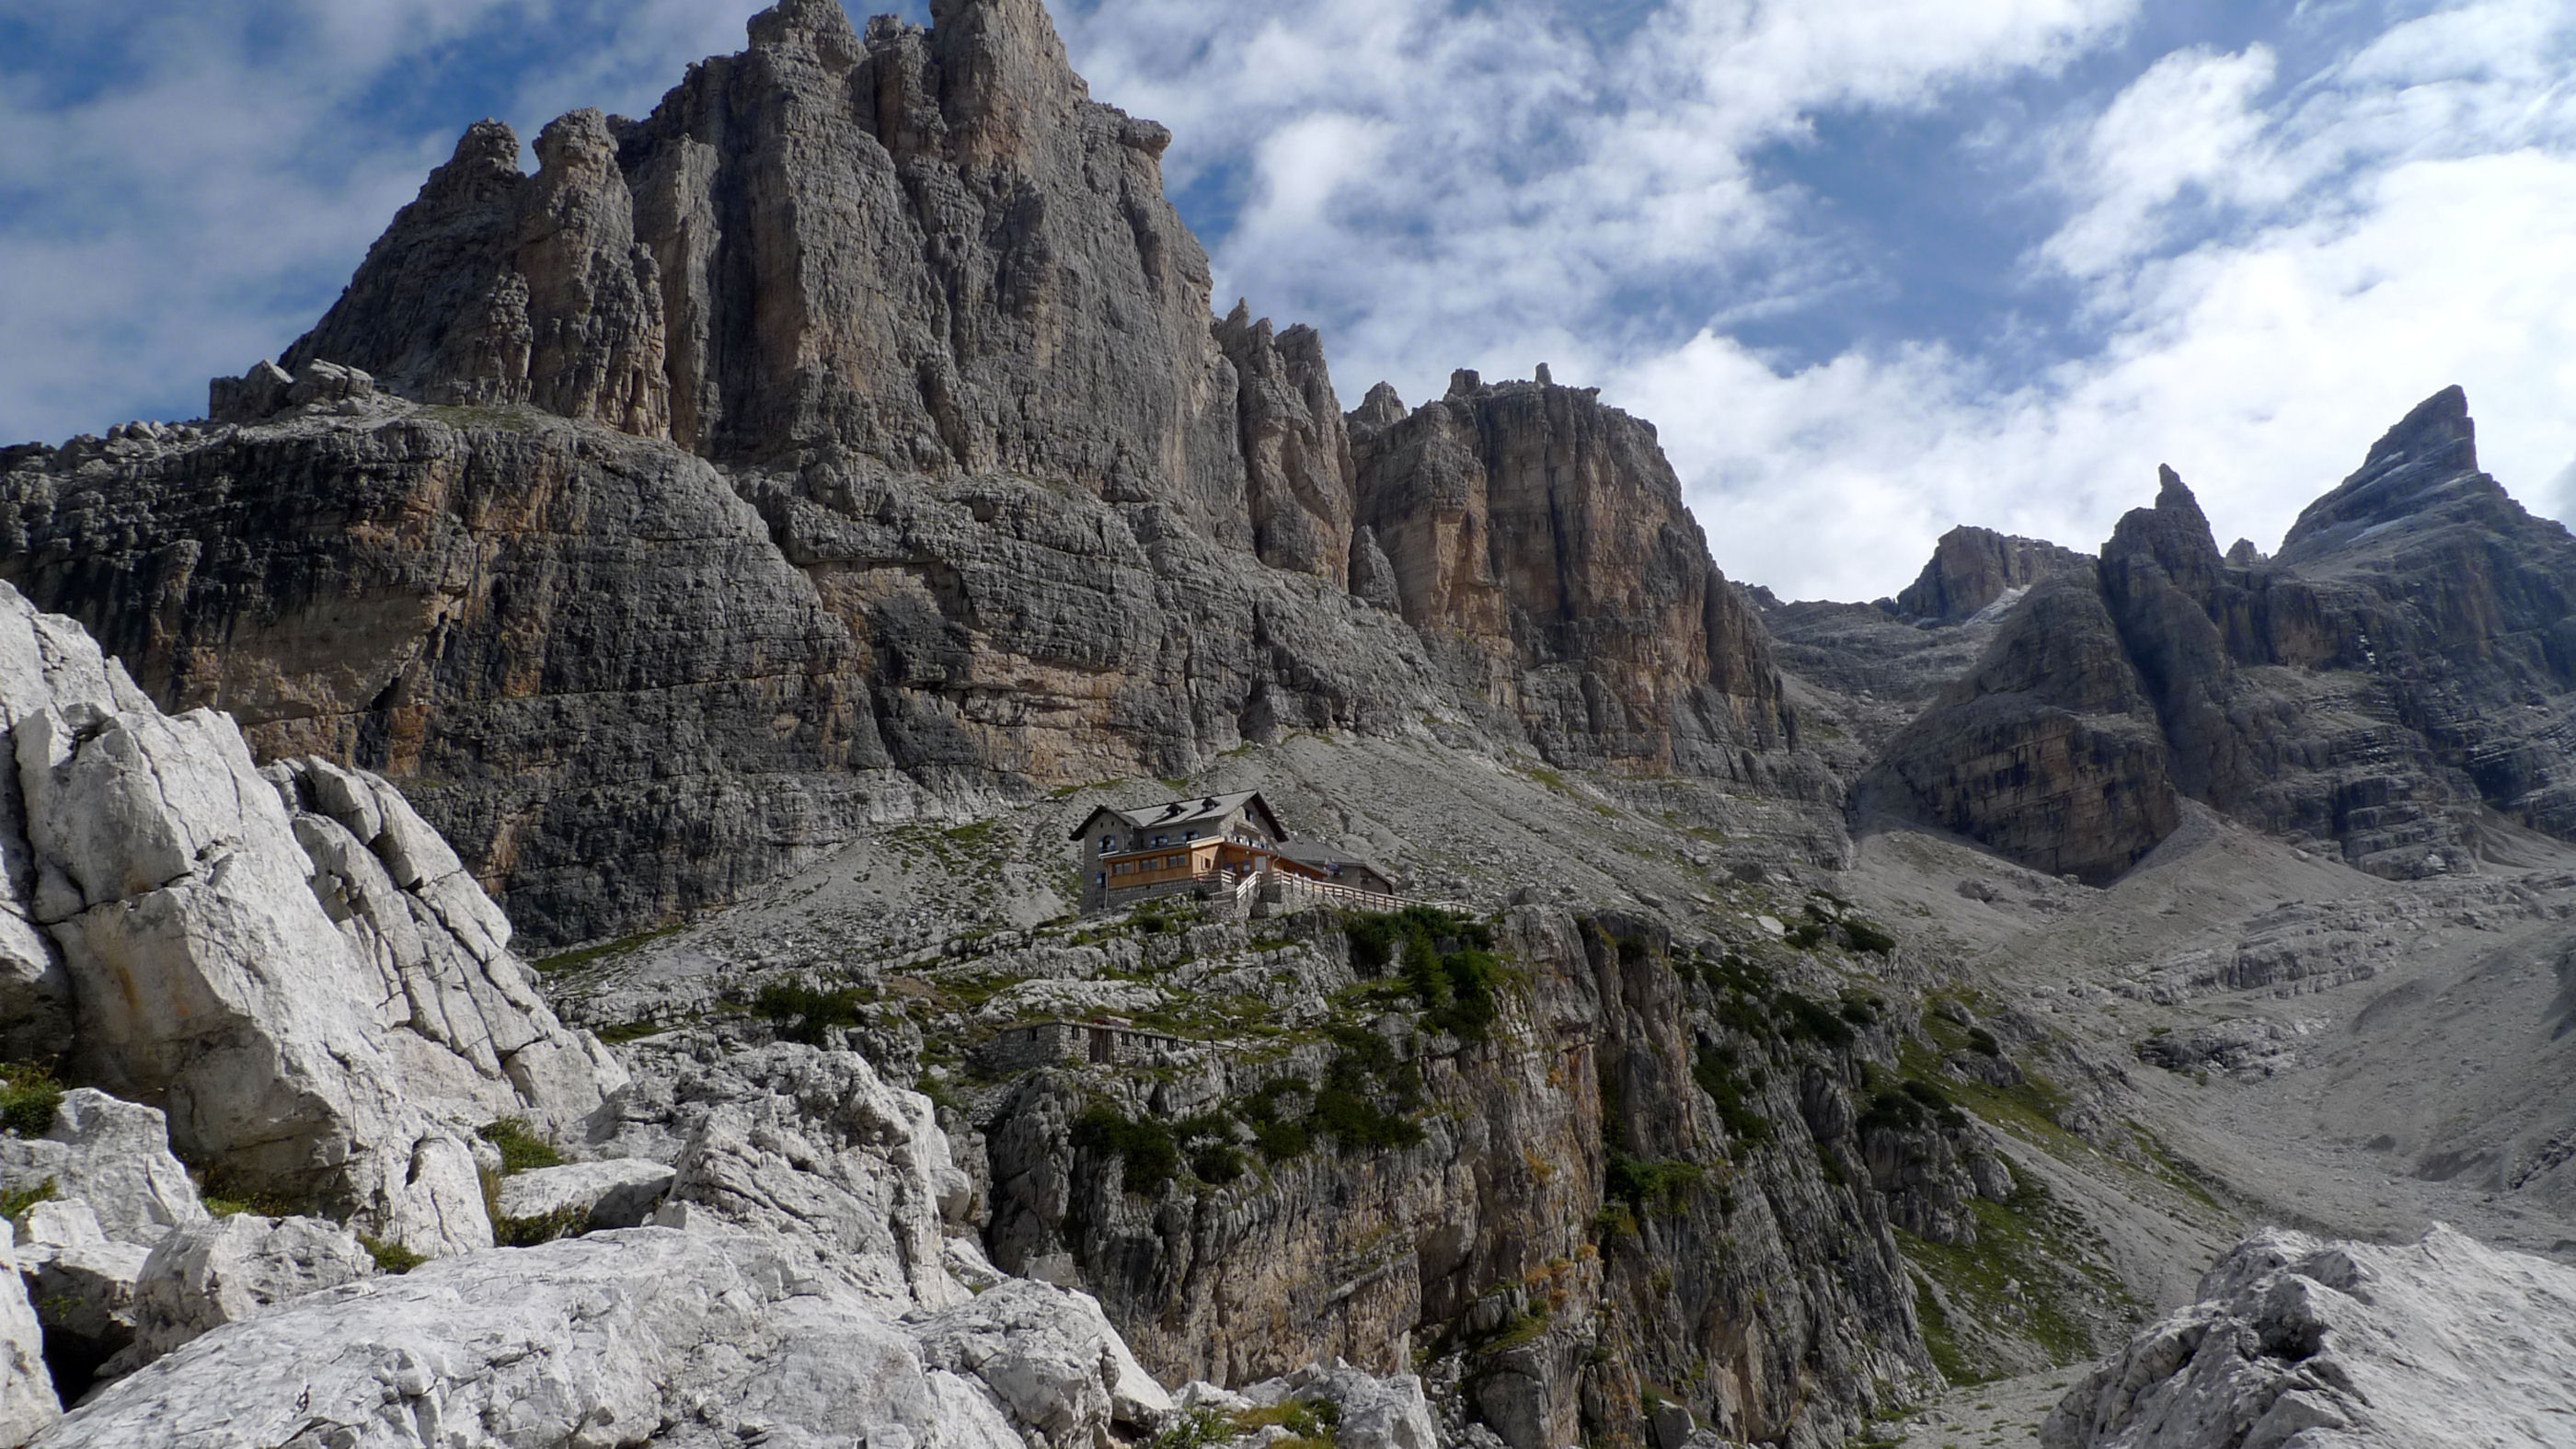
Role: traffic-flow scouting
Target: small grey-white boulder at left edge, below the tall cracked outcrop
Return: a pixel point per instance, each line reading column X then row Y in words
column 115, row 1159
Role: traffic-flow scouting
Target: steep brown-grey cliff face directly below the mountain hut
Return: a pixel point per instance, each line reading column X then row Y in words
column 1578, row 1221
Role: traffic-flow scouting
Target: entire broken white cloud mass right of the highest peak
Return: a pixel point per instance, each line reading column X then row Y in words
column 2266, row 262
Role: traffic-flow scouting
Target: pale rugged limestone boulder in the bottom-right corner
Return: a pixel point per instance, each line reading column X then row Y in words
column 2320, row 1345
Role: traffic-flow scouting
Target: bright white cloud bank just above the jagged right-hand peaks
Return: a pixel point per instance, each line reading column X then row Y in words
column 2260, row 362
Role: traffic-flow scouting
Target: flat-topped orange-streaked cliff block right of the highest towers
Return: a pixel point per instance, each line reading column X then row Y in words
column 1542, row 543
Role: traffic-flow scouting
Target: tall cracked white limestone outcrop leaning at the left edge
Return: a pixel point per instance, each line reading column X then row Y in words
column 292, row 968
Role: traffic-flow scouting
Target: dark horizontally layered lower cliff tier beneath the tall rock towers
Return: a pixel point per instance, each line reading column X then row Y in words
column 630, row 685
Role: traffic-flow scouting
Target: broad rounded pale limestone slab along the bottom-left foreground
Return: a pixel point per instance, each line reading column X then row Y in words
column 609, row 1339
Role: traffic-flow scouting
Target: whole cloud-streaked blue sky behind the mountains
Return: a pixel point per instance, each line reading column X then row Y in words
column 1871, row 267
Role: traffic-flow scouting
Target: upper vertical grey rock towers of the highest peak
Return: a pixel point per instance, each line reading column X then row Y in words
column 900, row 246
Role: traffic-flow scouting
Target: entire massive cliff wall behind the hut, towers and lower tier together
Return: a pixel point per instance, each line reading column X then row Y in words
column 851, row 442
